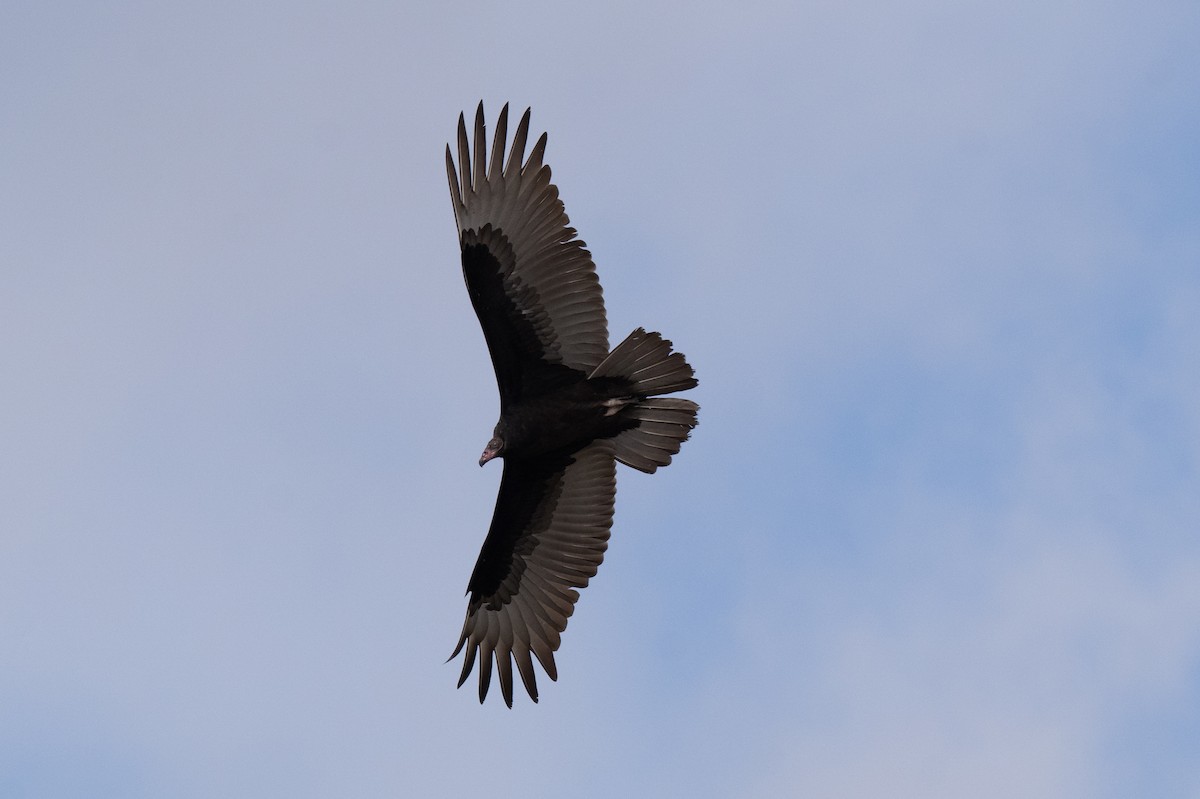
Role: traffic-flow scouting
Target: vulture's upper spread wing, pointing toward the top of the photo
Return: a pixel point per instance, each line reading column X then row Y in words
column 532, row 283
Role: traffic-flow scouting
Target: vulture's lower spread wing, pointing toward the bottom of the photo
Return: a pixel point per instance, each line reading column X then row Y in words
column 548, row 538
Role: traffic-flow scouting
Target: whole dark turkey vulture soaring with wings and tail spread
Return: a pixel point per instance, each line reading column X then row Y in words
column 569, row 408
